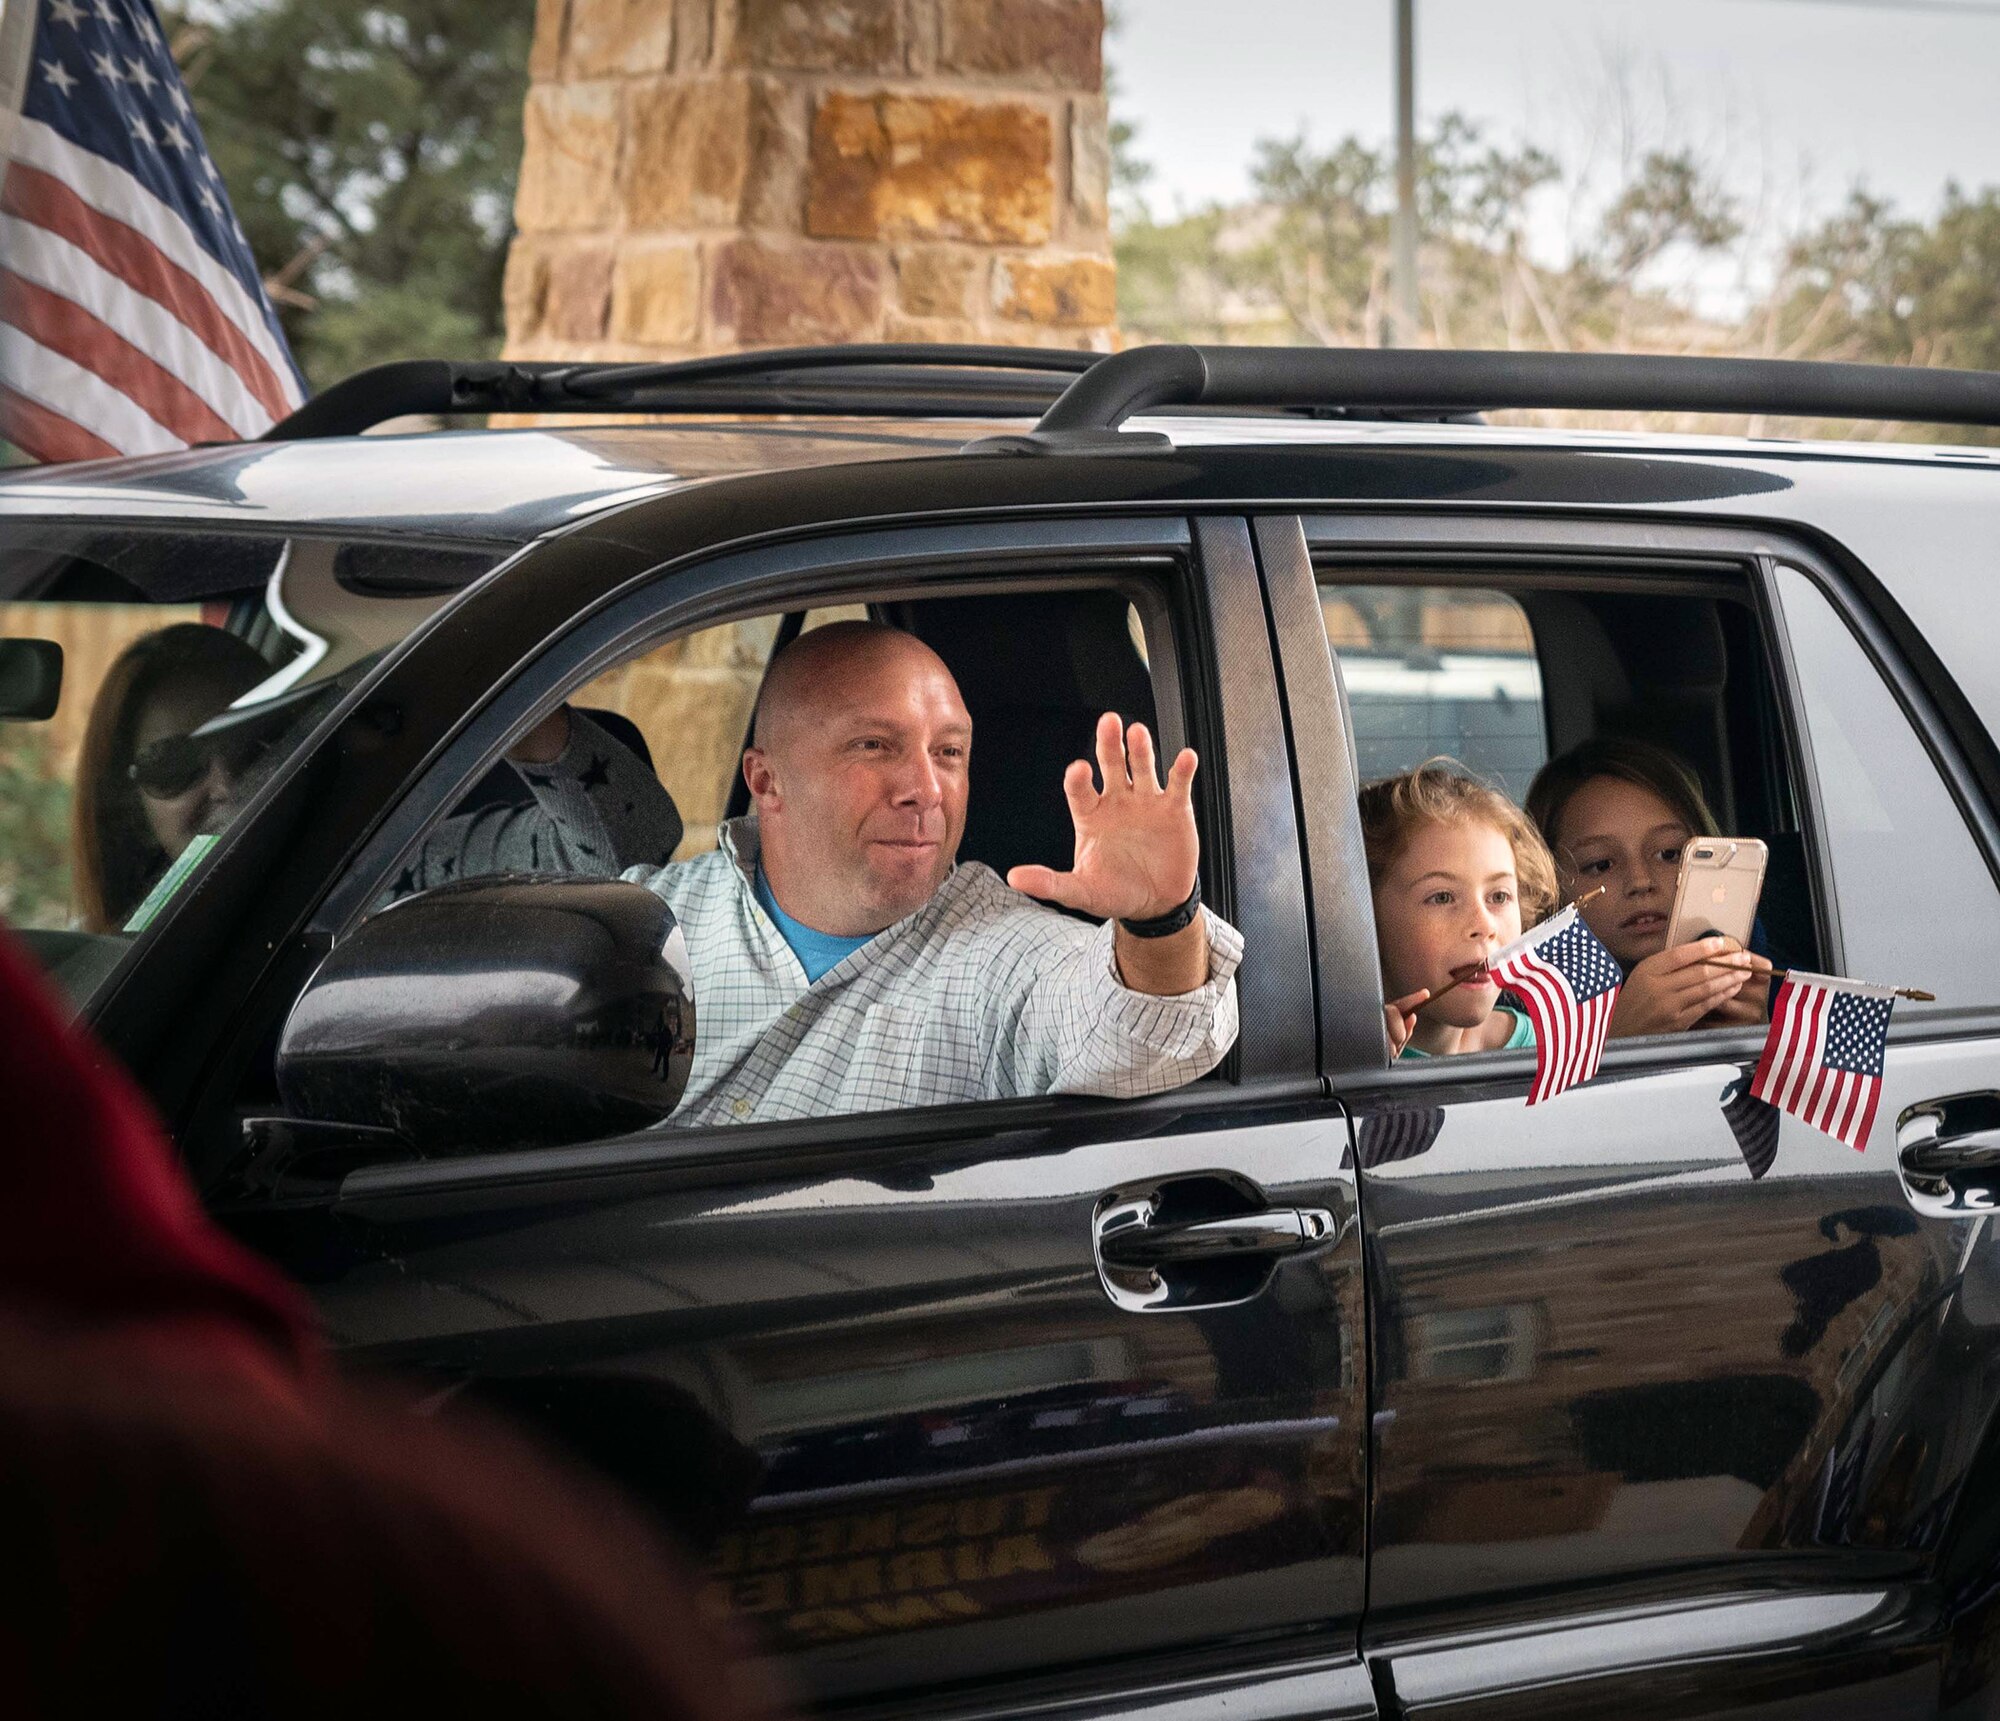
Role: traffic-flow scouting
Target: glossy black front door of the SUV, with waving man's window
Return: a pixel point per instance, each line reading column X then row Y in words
column 881, row 1370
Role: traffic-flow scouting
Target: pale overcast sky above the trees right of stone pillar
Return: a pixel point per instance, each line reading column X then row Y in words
column 1797, row 97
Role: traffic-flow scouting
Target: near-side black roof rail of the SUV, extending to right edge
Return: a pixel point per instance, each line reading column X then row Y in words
column 1441, row 385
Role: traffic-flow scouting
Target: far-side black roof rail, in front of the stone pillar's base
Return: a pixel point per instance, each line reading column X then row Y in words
column 849, row 381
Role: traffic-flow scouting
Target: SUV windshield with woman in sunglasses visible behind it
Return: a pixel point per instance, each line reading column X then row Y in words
column 151, row 681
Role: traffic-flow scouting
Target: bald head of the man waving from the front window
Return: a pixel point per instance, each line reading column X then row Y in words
column 859, row 769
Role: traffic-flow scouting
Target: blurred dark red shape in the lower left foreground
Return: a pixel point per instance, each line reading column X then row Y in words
column 201, row 1522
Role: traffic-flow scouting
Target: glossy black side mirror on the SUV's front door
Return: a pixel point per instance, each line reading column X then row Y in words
column 497, row 1014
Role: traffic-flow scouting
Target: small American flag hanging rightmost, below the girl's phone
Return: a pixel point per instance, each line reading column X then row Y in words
column 1823, row 1056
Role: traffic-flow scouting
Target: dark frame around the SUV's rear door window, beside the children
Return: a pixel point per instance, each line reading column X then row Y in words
column 1563, row 551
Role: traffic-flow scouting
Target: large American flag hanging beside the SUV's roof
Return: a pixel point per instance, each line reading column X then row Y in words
column 133, row 319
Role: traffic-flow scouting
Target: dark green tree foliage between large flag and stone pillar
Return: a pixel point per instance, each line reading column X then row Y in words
column 371, row 151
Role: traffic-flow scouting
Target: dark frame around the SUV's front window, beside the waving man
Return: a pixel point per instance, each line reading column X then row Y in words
column 1229, row 717
